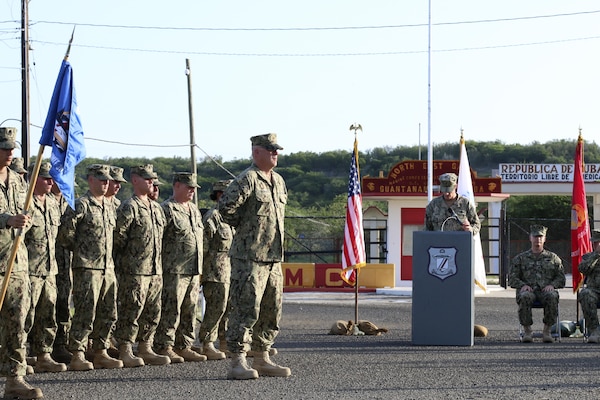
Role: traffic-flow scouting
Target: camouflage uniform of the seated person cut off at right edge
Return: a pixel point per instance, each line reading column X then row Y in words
column 590, row 295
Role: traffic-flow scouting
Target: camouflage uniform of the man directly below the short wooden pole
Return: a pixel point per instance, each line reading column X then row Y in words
column 182, row 266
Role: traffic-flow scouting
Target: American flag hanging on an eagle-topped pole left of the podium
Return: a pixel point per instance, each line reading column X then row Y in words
column 353, row 256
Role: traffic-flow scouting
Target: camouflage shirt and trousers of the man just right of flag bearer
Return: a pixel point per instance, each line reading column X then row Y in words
column 40, row 240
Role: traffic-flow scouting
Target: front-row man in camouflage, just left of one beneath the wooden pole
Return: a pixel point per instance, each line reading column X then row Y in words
column 138, row 248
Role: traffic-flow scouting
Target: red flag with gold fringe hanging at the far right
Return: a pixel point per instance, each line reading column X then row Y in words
column 580, row 225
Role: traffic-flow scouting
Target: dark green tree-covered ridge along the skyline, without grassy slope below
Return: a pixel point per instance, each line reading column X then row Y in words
column 316, row 180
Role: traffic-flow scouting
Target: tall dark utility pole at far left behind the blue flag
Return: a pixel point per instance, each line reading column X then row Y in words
column 25, row 82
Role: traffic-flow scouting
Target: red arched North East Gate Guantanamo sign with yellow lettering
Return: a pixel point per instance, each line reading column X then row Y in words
column 409, row 178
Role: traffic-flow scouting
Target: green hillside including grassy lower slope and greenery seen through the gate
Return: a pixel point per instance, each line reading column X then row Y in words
column 318, row 182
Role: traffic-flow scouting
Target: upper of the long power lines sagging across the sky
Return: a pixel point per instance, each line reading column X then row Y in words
column 318, row 28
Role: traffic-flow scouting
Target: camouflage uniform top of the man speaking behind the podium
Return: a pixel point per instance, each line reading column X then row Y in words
column 437, row 211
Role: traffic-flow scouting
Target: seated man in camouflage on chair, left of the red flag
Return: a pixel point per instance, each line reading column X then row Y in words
column 536, row 274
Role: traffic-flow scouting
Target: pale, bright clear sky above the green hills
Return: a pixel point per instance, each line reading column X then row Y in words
column 512, row 70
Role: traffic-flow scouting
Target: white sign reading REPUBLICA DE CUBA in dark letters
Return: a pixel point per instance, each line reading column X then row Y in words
column 521, row 173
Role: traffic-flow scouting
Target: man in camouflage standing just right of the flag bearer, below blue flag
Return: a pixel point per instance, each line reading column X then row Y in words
column 40, row 241
